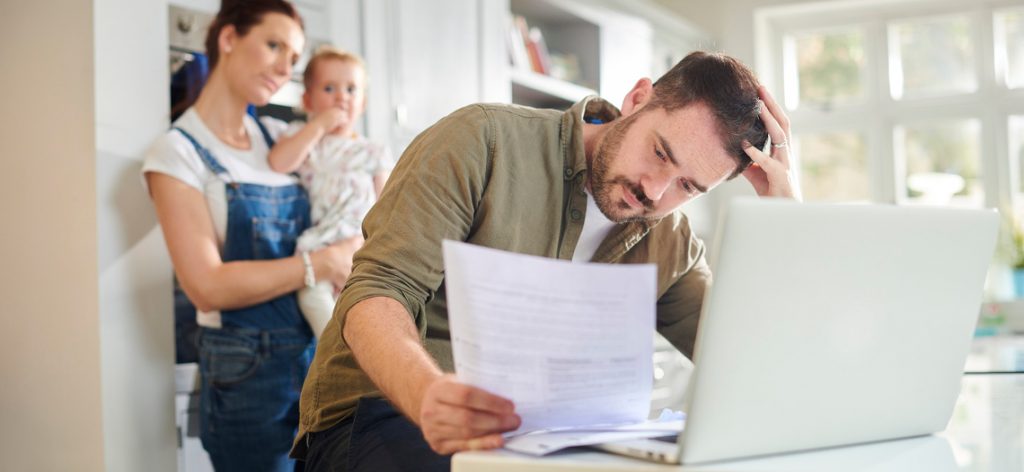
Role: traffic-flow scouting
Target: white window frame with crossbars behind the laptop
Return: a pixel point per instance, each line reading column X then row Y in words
column 993, row 104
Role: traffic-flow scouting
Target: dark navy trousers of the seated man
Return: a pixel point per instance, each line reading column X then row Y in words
column 375, row 439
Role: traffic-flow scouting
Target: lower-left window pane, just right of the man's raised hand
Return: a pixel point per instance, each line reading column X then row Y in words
column 833, row 166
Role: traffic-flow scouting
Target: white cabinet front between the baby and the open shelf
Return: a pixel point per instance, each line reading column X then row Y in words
column 426, row 60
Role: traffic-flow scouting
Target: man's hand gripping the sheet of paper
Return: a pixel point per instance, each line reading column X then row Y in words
column 457, row 417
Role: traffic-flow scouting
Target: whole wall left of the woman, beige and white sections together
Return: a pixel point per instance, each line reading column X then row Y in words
column 87, row 346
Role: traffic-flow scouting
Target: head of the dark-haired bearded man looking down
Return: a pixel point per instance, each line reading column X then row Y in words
column 678, row 139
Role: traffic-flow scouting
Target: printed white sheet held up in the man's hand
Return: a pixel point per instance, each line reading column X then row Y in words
column 570, row 345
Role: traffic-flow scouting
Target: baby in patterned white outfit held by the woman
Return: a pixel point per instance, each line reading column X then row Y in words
column 343, row 171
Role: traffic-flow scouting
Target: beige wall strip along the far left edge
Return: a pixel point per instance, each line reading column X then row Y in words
column 50, row 339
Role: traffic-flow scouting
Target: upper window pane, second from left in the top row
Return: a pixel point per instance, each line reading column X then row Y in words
column 931, row 57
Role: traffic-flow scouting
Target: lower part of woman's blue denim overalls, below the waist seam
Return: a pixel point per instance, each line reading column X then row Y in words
column 250, row 396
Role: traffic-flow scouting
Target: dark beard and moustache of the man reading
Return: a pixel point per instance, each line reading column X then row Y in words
column 602, row 186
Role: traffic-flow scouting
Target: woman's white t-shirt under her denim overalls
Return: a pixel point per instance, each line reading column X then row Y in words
column 175, row 155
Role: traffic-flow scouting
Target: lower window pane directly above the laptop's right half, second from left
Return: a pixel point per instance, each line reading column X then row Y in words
column 944, row 164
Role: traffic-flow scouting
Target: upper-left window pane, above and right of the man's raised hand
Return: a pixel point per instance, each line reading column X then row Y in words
column 829, row 69
